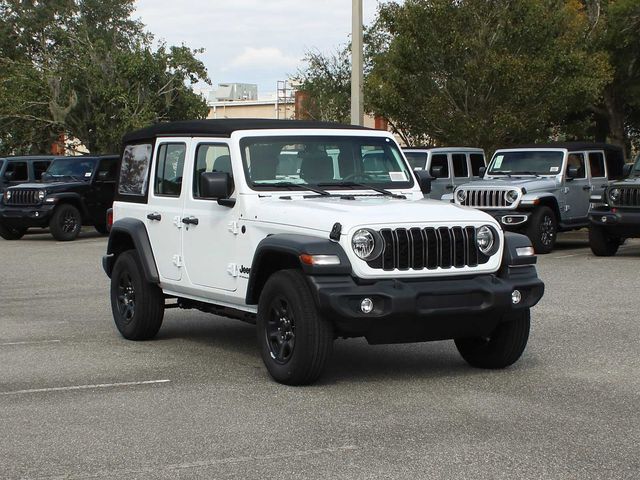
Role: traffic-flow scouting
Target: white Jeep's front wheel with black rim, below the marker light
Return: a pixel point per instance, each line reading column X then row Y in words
column 295, row 340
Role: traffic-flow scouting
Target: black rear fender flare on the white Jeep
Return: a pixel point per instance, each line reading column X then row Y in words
column 127, row 233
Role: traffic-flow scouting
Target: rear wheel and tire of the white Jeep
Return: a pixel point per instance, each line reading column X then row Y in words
column 137, row 305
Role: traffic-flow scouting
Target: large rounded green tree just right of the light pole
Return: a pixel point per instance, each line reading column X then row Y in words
column 483, row 73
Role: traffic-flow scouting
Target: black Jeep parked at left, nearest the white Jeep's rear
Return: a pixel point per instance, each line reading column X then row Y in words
column 74, row 191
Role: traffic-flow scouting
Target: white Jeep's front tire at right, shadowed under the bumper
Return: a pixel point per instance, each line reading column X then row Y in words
column 502, row 348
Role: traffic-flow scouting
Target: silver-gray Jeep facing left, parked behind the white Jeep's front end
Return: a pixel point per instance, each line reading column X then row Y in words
column 542, row 189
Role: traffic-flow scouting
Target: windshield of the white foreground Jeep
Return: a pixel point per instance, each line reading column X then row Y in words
column 292, row 162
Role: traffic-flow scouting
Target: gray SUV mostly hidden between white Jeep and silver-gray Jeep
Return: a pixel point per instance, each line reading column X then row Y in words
column 449, row 166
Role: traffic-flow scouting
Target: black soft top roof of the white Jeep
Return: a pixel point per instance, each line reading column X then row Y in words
column 225, row 127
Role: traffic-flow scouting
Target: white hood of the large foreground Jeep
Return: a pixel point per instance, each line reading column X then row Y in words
column 322, row 213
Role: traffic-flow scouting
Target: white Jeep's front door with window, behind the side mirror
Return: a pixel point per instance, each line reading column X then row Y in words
column 212, row 233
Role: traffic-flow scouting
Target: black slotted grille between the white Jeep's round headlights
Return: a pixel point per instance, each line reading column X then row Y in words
column 431, row 248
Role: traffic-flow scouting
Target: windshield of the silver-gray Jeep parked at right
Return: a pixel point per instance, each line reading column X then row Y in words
column 526, row 162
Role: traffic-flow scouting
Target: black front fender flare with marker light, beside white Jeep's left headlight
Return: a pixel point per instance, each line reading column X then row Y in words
column 288, row 248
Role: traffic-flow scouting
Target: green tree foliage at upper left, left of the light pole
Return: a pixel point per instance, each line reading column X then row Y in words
column 85, row 69
